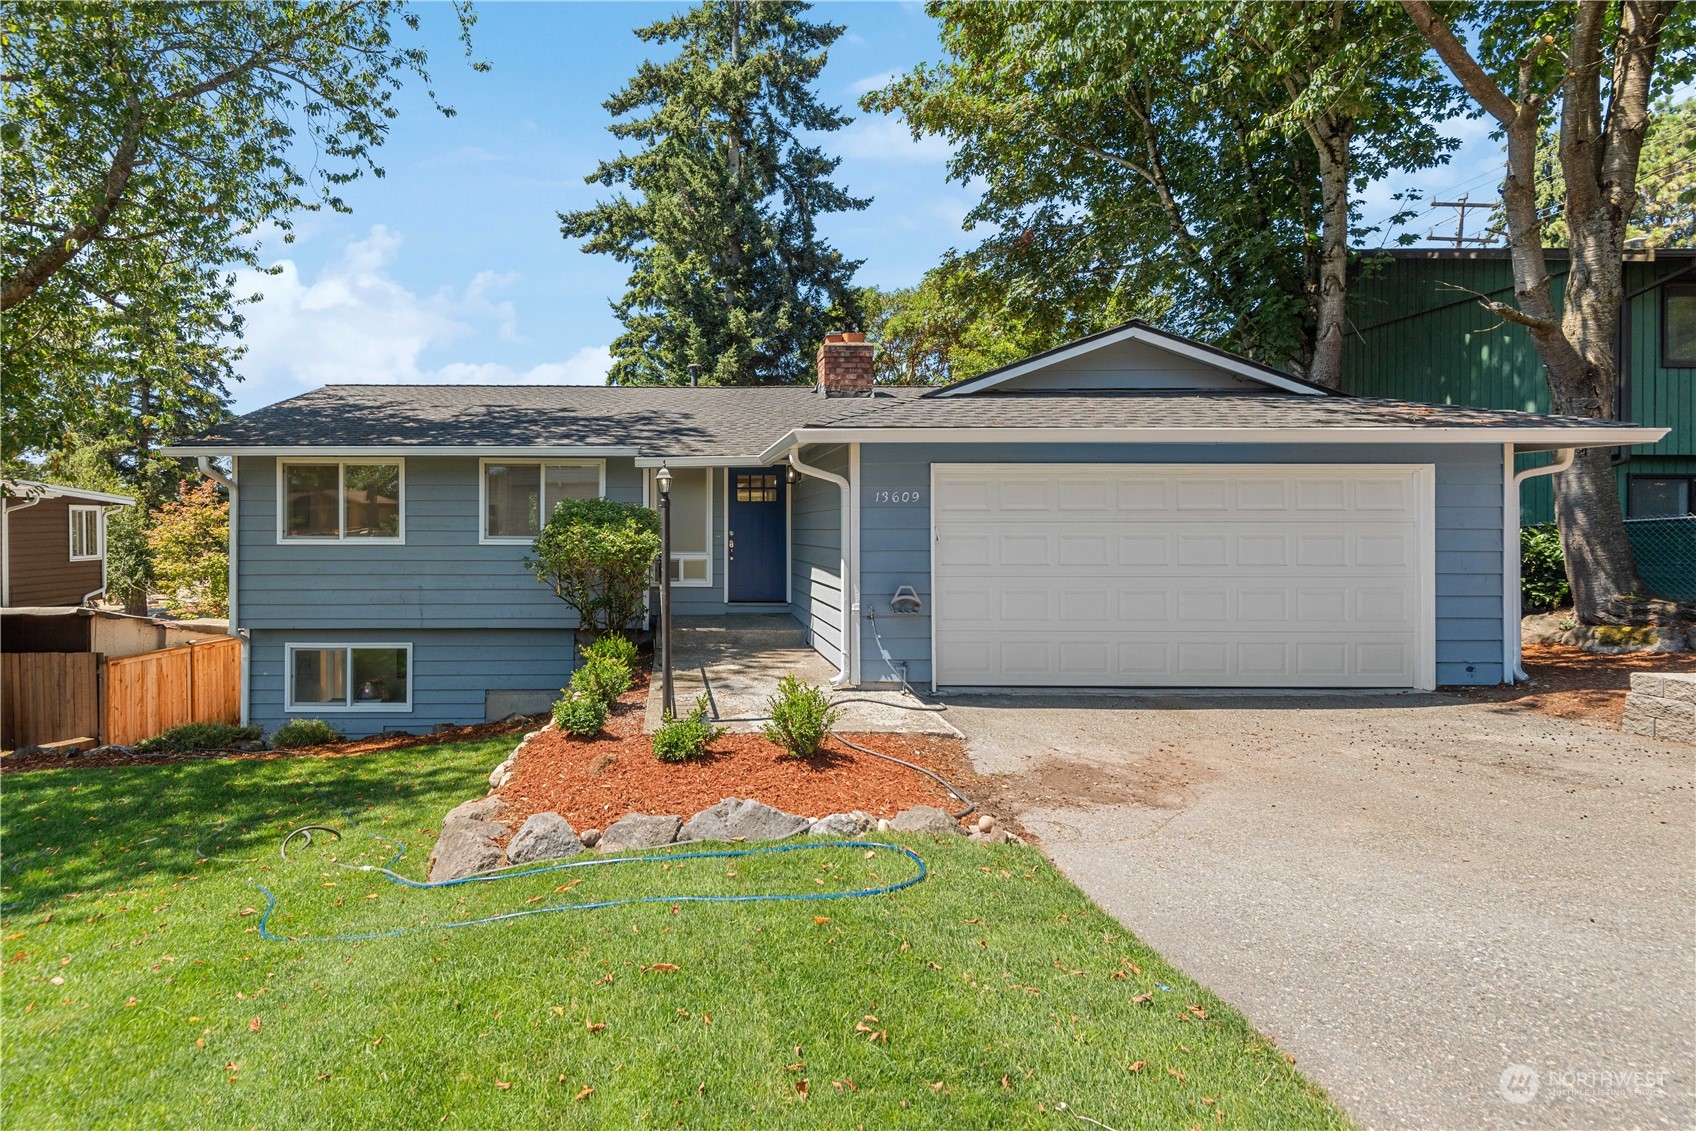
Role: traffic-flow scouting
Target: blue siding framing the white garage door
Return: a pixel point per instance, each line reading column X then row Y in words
column 896, row 549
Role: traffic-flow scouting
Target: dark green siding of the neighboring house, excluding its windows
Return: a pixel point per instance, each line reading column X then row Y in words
column 1417, row 331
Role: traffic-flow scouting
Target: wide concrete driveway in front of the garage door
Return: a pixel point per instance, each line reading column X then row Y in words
column 1412, row 894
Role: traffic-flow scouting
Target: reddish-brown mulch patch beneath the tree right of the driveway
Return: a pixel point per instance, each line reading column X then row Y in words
column 1575, row 684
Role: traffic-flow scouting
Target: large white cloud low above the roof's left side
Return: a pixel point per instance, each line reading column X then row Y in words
column 357, row 325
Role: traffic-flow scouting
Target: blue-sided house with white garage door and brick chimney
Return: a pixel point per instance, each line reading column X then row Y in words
column 1132, row 510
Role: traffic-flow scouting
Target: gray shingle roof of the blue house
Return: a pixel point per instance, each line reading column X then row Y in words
column 681, row 423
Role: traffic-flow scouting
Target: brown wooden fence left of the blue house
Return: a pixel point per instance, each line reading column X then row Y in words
column 57, row 696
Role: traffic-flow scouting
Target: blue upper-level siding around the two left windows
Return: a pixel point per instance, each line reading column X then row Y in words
column 442, row 577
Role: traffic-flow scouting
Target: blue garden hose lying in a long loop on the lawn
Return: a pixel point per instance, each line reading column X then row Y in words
column 491, row 877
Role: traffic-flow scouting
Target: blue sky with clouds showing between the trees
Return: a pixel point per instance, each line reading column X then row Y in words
column 452, row 269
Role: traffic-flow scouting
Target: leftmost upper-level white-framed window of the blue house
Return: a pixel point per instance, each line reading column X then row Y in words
column 342, row 501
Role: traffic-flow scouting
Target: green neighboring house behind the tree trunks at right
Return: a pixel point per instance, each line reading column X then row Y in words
column 1415, row 337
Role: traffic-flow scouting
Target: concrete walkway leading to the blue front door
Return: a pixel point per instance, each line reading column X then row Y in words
column 737, row 664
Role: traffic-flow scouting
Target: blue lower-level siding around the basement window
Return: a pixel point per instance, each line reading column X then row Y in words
column 452, row 674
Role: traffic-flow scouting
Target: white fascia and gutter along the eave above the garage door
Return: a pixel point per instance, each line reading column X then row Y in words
column 1524, row 438
